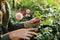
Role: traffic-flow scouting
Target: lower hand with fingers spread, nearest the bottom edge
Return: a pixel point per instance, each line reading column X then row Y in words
column 22, row 33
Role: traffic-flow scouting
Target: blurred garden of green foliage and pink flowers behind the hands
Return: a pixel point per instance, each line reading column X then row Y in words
column 47, row 10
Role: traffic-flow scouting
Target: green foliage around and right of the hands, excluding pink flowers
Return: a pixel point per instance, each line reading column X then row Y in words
column 43, row 8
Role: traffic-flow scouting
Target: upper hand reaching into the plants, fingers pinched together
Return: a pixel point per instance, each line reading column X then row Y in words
column 34, row 21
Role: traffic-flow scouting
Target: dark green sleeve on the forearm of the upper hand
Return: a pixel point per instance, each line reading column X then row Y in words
column 15, row 26
